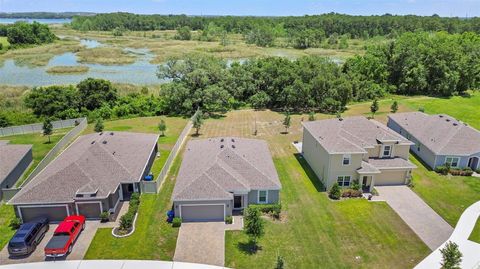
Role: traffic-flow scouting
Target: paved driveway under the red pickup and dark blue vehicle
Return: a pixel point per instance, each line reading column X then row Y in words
column 78, row 252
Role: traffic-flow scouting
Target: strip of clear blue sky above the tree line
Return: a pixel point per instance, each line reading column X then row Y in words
column 459, row 8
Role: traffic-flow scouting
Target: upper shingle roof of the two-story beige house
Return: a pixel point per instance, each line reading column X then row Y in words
column 351, row 135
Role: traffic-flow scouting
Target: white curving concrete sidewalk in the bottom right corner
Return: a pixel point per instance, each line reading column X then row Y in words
column 469, row 249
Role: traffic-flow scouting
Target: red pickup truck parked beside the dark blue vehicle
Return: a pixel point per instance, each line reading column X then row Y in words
column 64, row 236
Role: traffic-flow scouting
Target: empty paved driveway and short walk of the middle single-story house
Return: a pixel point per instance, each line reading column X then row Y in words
column 204, row 242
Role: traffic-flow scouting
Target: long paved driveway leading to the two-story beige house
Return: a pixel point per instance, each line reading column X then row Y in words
column 422, row 219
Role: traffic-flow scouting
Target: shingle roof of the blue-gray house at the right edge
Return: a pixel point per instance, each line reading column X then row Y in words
column 442, row 134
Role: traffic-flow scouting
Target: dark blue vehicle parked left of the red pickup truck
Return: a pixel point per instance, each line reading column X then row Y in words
column 27, row 237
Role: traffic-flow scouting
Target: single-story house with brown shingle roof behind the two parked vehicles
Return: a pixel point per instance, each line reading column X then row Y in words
column 90, row 176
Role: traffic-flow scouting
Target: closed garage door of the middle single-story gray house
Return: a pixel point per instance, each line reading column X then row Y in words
column 203, row 212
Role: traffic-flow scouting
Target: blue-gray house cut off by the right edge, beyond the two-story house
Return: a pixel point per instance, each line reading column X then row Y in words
column 439, row 139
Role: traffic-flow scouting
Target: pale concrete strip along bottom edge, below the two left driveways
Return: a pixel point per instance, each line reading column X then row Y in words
column 110, row 264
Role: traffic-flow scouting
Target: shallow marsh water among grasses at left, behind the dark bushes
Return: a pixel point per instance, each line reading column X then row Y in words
column 141, row 72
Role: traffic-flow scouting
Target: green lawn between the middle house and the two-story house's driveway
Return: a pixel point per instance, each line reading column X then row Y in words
column 318, row 232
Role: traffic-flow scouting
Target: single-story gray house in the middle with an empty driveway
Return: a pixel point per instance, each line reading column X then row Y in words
column 220, row 175
